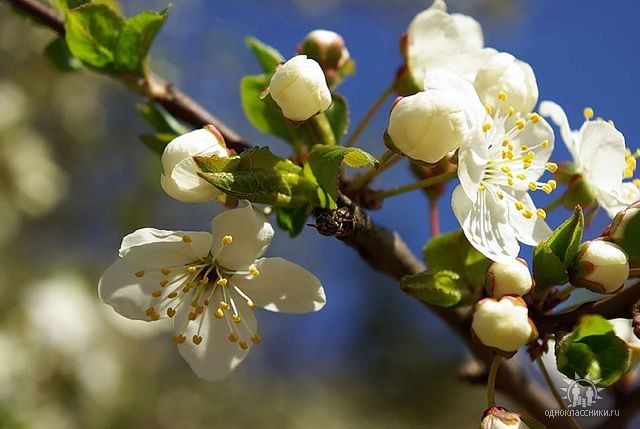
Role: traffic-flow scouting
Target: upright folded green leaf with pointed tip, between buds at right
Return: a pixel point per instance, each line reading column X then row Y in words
column 552, row 257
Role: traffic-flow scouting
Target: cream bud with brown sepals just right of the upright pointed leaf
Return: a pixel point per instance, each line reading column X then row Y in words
column 600, row 266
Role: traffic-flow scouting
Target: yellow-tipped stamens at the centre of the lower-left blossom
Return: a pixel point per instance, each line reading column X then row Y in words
column 209, row 291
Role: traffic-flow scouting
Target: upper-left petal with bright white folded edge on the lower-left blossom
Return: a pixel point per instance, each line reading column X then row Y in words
column 150, row 247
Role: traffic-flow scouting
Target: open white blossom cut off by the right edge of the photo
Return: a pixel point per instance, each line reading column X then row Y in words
column 599, row 153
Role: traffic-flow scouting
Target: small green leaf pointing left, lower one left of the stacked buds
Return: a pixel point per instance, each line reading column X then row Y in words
column 442, row 288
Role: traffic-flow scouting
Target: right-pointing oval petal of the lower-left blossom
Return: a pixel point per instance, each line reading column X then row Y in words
column 283, row 286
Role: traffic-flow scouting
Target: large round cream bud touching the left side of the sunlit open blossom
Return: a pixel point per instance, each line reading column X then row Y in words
column 428, row 125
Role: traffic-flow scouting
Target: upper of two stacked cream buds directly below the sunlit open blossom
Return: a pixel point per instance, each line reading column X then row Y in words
column 512, row 278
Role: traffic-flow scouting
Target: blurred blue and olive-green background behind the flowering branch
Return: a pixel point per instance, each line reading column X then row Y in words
column 74, row 180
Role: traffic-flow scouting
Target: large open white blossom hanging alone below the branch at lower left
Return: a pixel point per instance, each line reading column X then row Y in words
column 209, row 283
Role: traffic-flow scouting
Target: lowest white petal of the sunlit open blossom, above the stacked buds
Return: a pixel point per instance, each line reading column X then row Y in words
column 484, row 223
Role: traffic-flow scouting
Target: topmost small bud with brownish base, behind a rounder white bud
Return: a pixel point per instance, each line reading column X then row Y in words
column 329, row 50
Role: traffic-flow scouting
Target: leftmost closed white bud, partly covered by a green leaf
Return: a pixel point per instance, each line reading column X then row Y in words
column 180, row 177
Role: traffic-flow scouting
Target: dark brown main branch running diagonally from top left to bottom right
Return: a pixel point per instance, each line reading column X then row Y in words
column 383, row 249
